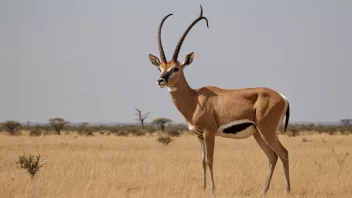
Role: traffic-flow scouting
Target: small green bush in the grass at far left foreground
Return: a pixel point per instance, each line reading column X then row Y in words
column 32, row 164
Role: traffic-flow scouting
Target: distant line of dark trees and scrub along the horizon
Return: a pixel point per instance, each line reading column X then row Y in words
column 165, row 125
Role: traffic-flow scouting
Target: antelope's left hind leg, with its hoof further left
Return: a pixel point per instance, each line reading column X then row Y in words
column 272, row 157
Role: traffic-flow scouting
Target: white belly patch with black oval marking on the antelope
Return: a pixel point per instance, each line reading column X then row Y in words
column 238, row 129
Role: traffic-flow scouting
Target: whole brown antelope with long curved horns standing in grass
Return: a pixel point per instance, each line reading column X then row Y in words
column 231, row 113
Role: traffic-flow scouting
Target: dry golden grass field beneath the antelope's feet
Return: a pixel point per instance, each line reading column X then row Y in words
column 112, row 166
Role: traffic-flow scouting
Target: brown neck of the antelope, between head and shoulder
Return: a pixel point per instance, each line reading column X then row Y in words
column 183, row 97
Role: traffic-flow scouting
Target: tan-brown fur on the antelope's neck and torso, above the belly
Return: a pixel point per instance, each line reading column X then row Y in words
column 224, row 106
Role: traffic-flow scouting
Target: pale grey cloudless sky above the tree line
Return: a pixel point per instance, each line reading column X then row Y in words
column 87, row 61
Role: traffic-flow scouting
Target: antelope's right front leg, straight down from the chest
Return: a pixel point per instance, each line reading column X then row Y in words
column 209, row 139
